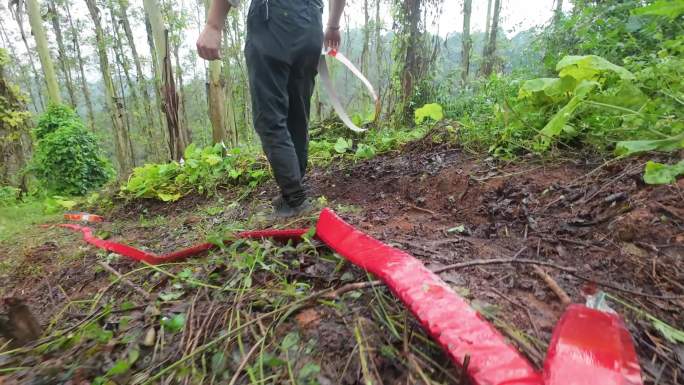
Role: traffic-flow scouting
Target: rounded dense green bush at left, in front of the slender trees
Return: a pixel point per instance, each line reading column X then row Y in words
column 67, row 158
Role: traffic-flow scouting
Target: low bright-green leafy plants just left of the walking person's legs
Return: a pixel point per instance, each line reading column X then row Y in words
column 203, row 170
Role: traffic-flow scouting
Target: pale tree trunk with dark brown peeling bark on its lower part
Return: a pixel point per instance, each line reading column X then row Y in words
column 178, row 136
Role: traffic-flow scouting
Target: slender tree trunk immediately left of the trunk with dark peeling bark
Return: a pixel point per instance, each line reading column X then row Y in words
column 151, row 143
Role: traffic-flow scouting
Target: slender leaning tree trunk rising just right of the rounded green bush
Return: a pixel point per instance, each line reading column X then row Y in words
column 124, row 153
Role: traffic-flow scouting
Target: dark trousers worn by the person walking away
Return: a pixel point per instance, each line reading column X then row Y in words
column 282, row 49
